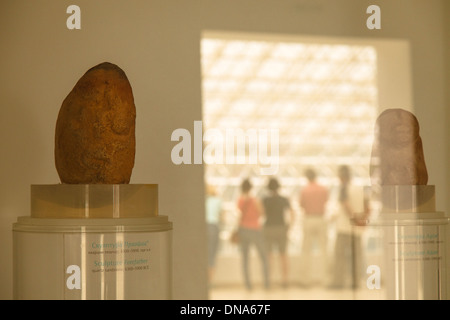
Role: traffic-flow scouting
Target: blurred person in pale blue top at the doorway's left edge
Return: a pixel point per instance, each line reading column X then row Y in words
column 213, row 218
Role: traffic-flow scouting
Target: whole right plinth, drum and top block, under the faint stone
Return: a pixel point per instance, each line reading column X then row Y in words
column 413, row 243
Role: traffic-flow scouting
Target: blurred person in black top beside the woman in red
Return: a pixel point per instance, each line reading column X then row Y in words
column 276, row 227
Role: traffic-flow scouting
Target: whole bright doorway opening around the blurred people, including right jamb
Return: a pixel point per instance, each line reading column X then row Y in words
column 322, row 96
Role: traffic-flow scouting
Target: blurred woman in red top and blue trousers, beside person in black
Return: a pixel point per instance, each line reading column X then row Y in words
column 250, row 232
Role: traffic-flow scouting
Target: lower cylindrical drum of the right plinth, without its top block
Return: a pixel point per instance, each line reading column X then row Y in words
column 415, row 256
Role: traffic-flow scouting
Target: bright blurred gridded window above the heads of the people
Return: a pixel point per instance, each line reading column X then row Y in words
column 322, row 99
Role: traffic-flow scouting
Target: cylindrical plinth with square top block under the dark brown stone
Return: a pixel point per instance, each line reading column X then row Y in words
column 93, row 242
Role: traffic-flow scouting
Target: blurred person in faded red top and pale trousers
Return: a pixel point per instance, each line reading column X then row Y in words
column 313, row 200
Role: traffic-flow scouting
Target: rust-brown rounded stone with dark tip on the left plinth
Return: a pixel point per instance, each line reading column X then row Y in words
column 95, row 130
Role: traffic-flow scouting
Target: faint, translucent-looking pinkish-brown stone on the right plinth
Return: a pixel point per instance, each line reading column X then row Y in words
column 397, row 154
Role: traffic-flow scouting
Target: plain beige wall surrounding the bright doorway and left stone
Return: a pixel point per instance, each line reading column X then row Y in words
column 156, row 42
